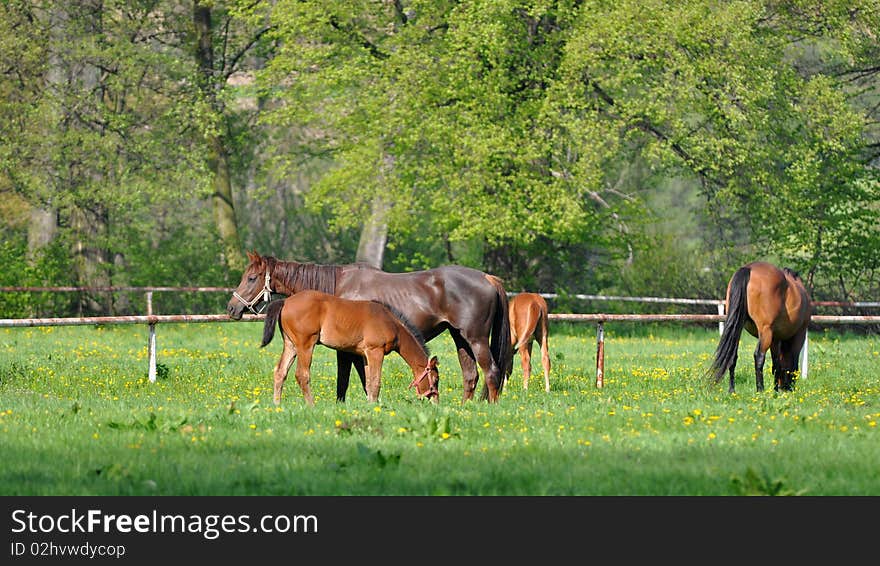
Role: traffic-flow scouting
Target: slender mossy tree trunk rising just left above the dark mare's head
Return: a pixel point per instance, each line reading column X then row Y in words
column 218, row 159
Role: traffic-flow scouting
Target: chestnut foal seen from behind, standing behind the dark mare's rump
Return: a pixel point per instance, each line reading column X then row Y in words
column 528, row 324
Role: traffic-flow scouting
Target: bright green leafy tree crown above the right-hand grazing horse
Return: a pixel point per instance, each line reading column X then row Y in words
column 709, row 90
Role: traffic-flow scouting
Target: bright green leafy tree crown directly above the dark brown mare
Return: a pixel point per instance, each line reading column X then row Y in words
column 431, row 113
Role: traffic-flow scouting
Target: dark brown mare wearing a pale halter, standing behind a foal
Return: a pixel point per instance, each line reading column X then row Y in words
column 470, row 304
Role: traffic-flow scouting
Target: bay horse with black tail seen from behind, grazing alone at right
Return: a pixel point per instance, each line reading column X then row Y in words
column 773, row 305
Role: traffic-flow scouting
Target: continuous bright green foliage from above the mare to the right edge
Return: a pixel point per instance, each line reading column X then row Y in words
column 516, row 123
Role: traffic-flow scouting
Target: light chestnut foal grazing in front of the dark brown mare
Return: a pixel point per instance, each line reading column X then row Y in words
column 365, row 328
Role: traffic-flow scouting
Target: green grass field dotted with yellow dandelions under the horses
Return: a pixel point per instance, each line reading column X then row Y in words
column 79, row 417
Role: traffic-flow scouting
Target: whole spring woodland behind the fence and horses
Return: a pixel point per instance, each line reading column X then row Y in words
column 622, row 147
